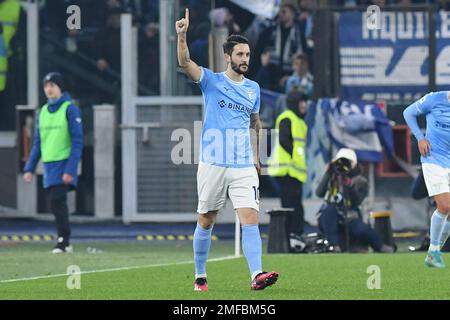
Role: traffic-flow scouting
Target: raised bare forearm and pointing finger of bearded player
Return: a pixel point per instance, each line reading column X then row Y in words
column 184, row 60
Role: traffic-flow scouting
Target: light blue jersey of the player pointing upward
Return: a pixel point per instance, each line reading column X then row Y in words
column 225, row 139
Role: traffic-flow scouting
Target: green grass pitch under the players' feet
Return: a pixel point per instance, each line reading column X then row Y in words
column 164, row 270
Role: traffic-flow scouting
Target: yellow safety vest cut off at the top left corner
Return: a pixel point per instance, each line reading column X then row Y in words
column 9, row 18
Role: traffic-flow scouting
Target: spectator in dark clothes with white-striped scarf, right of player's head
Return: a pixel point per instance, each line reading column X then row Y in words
column 282, row 41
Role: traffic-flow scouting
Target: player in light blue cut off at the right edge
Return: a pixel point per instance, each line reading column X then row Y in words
column 434, row 148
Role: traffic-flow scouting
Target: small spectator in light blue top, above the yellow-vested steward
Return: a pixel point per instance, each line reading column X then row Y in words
column 301, row 79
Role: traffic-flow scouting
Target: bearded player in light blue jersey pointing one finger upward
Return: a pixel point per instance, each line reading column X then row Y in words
column 227, row 162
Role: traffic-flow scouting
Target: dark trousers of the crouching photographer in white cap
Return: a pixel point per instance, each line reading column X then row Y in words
column 330, row 223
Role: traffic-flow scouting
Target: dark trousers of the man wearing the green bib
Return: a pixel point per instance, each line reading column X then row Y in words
column 57, row 200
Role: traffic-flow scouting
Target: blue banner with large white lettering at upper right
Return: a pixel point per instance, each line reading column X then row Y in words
column 391, row 63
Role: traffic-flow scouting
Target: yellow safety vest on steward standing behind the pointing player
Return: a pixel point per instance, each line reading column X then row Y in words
column 283, row 163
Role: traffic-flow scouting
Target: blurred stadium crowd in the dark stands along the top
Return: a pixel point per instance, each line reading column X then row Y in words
column 281, row 57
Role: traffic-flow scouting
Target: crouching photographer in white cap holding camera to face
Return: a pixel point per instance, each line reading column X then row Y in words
column 344, row 189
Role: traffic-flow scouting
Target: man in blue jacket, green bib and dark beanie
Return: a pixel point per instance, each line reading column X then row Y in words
column 58, row 142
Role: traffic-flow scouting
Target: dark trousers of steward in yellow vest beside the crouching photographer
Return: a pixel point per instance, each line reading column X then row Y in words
column 291, row 197
